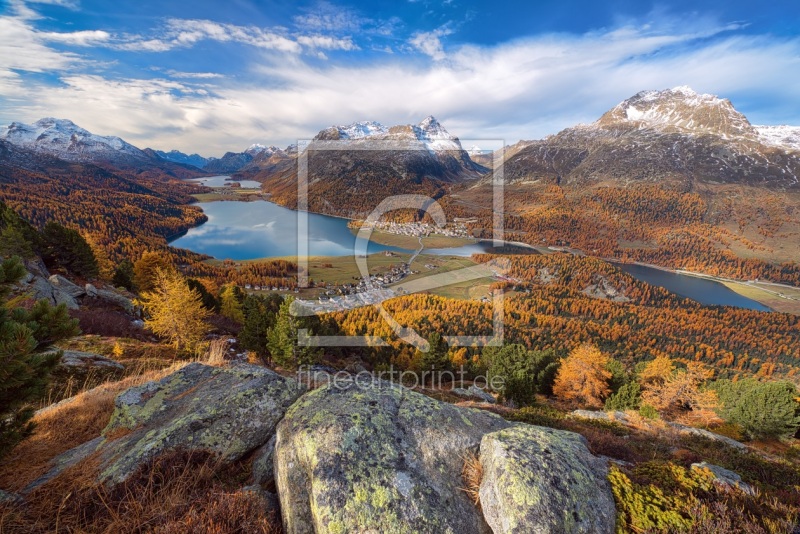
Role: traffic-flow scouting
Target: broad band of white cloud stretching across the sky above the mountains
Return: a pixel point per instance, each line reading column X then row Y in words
column 519, row 90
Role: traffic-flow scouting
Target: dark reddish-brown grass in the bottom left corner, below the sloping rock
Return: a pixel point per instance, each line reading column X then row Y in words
column 180, row 491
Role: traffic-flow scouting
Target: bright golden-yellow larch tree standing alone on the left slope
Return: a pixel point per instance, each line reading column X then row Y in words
column 174, row 311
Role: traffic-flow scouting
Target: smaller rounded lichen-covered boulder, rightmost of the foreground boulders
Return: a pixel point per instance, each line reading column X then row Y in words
column 544, row 480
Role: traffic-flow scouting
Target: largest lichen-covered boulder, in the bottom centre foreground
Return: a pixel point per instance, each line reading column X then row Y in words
column 375, row 457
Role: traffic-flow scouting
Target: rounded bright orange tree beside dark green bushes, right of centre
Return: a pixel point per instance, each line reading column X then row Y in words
column 583, row 376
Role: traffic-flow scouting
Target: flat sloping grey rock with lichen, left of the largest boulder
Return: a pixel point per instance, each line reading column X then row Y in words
column 229, row 411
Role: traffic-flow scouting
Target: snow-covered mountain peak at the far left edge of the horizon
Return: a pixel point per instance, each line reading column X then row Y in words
column 66, row 140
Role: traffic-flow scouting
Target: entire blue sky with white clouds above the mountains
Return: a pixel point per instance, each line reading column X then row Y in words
column 208, row 76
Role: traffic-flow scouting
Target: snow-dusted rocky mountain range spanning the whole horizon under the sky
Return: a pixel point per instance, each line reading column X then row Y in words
column 673, row 134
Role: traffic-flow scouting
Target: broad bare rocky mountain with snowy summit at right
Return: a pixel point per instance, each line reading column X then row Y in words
column 670, row 136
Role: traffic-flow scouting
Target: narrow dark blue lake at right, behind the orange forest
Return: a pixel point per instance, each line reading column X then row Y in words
column 701, row 290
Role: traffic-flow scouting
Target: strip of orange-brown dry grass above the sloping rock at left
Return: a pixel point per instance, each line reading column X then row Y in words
column 65, row 425
